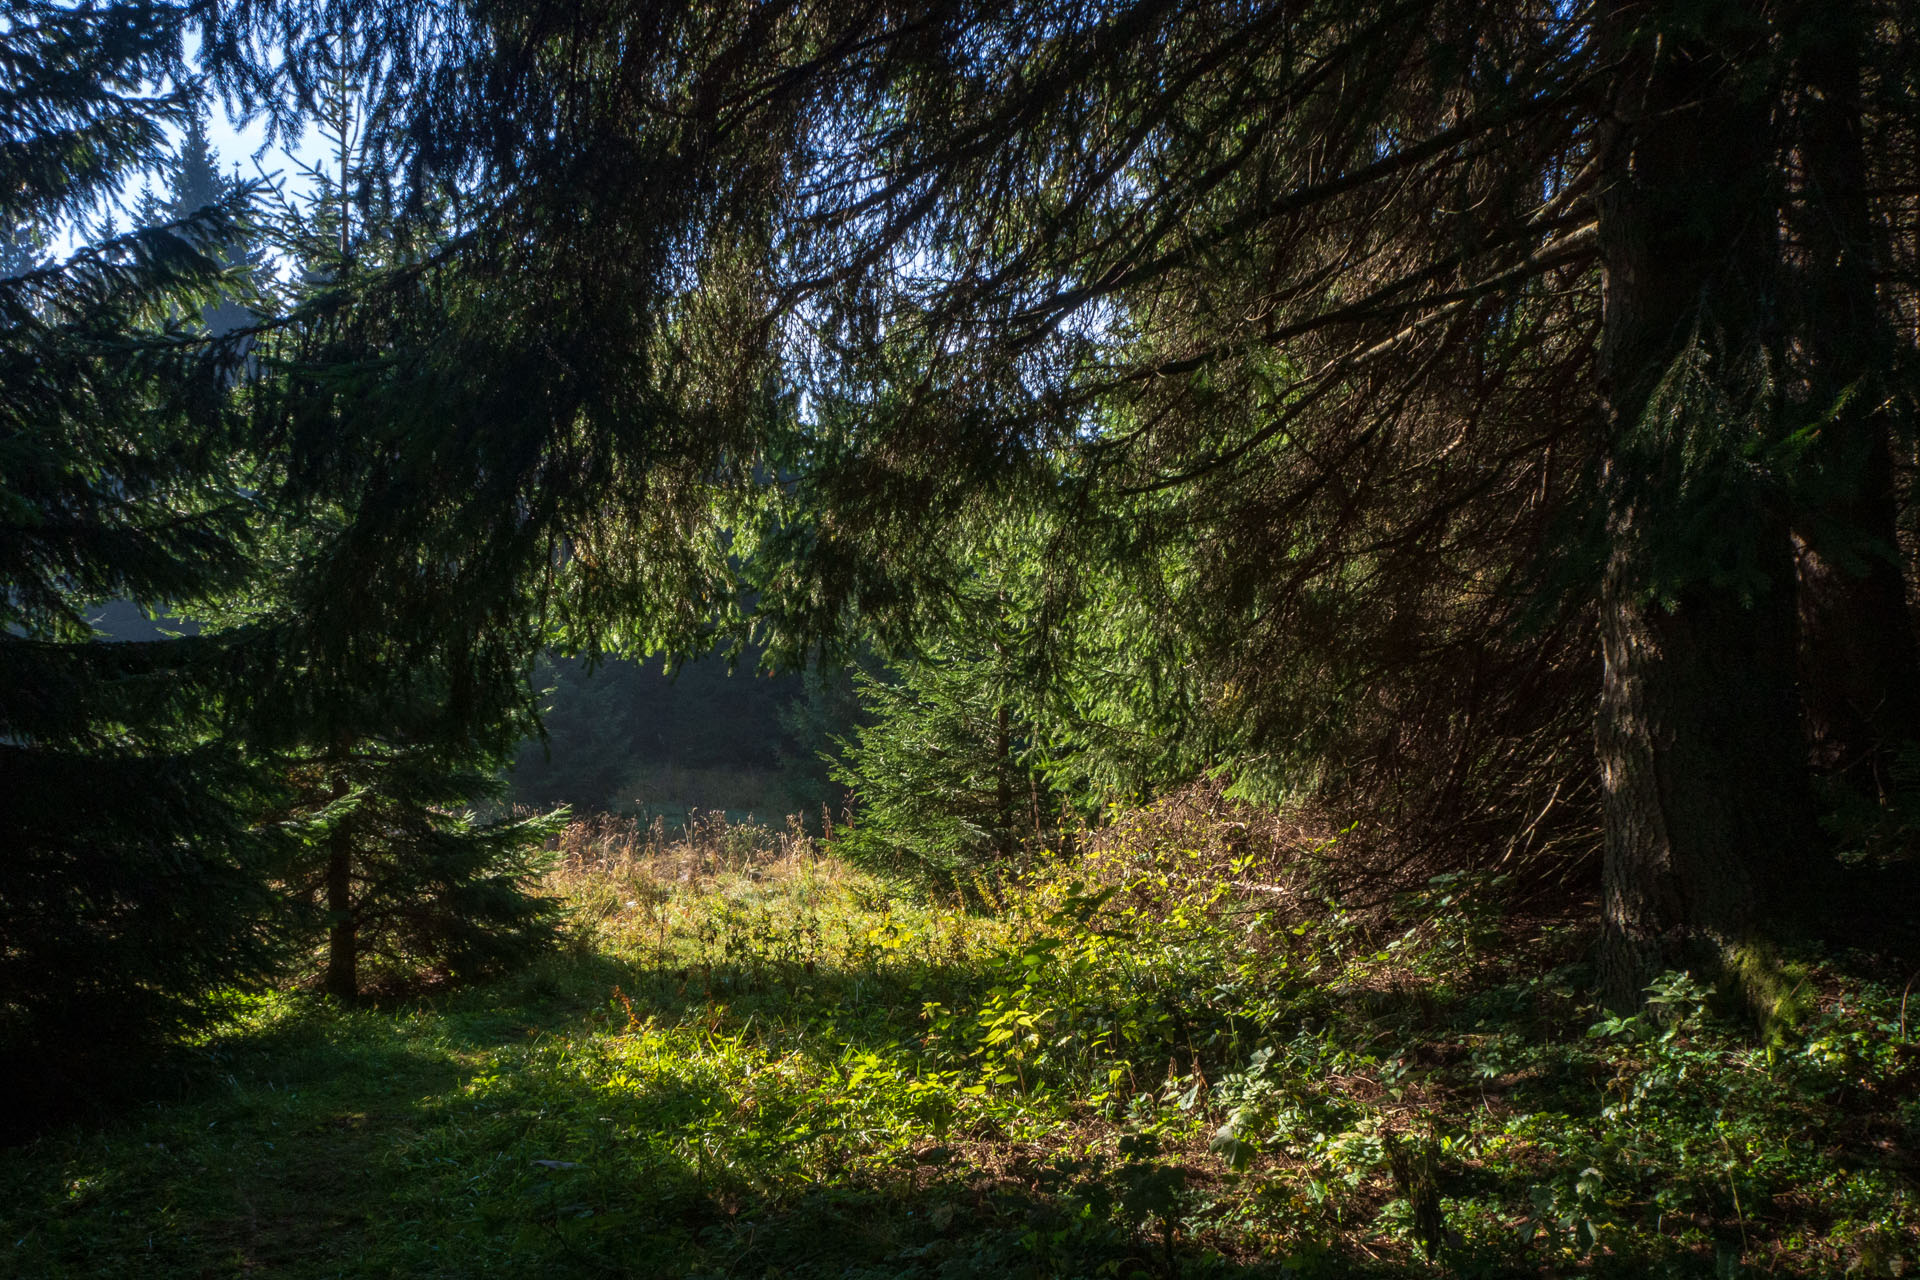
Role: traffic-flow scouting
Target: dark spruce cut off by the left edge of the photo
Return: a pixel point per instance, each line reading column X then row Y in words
column 135, row 878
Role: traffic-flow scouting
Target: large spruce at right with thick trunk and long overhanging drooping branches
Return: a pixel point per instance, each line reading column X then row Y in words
column 1426, row 367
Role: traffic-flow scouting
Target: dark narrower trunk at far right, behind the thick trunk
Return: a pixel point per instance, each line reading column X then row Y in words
column 1860, row 663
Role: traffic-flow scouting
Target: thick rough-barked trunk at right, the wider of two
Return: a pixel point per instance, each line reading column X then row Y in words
column 1698, row 734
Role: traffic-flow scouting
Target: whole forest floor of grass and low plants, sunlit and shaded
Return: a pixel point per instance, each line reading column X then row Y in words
column 754, row 1062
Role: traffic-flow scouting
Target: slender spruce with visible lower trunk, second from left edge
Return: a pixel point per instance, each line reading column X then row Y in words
column 389, row 742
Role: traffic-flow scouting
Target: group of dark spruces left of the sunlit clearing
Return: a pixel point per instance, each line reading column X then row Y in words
column 201, row 813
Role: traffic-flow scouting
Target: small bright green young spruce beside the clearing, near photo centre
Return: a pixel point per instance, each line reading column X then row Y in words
column 1022, row 707
